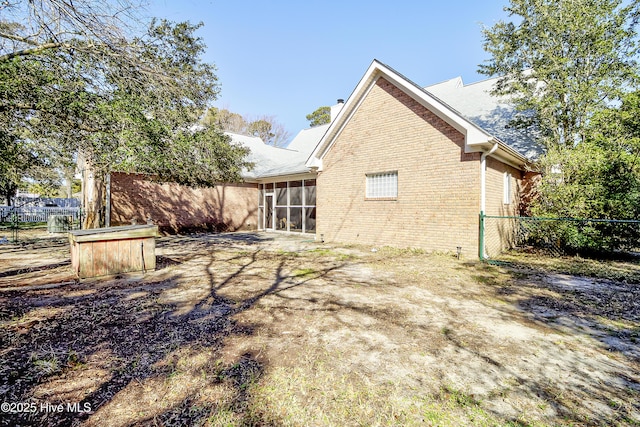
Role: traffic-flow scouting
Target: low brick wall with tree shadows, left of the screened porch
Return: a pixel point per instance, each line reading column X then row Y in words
column 178, row 208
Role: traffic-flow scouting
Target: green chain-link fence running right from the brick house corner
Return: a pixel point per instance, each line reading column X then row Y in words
column 557, row 236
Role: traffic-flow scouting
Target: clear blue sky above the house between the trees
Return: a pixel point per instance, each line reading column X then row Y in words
column 287, row 58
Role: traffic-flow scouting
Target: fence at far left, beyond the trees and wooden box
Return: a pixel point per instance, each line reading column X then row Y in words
column 29, row 223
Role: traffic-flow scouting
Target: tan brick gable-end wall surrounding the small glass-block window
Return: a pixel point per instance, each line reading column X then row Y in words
column 438, row 184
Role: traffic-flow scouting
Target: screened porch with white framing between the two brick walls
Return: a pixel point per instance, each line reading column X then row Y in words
column 287, row 206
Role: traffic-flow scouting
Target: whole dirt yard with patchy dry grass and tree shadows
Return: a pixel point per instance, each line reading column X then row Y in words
column 257, row 329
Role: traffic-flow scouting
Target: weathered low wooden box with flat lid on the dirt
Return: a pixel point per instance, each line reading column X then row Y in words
column 113, row 250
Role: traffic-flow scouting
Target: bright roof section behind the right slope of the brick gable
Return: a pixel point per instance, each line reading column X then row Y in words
column 493, row 114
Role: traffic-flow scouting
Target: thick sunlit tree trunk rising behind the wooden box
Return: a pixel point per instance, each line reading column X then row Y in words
column 93, row 195
